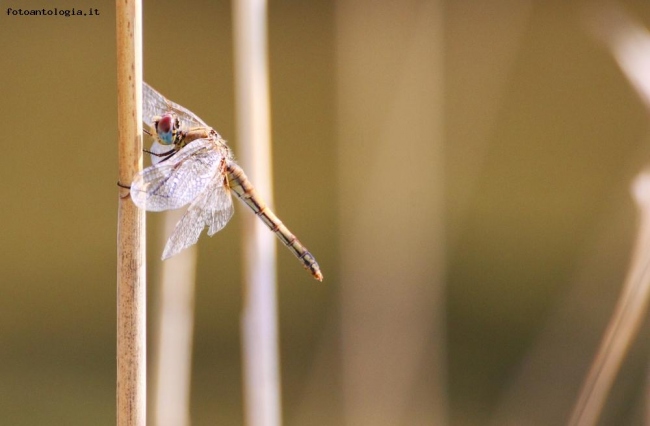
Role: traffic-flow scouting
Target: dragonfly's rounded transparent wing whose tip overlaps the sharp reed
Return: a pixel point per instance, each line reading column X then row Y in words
column 178, row 180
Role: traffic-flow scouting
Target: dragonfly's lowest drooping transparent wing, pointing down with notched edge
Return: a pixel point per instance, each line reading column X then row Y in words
column 212, row 208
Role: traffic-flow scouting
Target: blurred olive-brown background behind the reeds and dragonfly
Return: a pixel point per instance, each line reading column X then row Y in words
column 464, row 172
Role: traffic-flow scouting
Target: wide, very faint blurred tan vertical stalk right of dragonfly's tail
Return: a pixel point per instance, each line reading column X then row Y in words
column 392, row 254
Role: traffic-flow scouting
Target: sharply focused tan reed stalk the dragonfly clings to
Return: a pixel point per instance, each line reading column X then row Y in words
column 131, row 284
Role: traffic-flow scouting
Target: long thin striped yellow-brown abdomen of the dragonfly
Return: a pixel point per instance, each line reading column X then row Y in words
column 245, row 191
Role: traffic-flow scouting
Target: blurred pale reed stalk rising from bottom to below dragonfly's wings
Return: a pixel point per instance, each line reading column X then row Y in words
column 175, row 327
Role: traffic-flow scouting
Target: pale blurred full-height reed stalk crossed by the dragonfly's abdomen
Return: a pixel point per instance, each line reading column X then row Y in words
column 259, row 319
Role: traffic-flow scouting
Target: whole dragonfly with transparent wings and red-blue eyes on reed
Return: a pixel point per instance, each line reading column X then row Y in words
column 192, row 164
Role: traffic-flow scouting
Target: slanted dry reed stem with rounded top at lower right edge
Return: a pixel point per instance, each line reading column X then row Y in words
column 626, row 320
